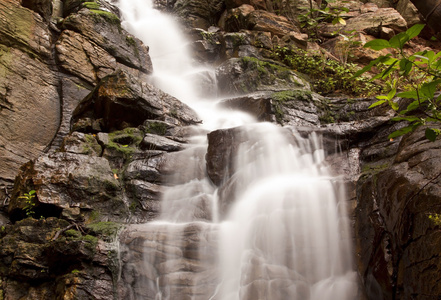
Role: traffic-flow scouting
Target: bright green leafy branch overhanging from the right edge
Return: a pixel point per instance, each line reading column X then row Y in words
column 418, row 75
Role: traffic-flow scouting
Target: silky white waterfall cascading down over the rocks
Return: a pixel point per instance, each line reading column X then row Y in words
column 278, row 230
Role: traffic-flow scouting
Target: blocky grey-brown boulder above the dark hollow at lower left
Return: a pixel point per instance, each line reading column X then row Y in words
column 64, row 180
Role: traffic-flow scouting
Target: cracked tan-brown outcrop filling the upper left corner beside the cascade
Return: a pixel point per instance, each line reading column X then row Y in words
column 89, row 44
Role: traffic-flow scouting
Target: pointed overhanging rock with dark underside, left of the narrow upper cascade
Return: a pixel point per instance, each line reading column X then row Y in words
column 122, row 100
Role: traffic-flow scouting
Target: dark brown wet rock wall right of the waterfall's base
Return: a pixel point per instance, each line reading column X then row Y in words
column 393, row 228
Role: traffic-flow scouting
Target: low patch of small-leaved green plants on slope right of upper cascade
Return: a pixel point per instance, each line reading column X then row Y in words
column 326, row 75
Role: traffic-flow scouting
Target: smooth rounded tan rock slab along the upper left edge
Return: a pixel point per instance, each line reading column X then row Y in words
column 29, row 121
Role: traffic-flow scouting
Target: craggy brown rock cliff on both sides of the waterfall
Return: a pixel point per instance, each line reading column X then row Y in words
column 82, row 126
